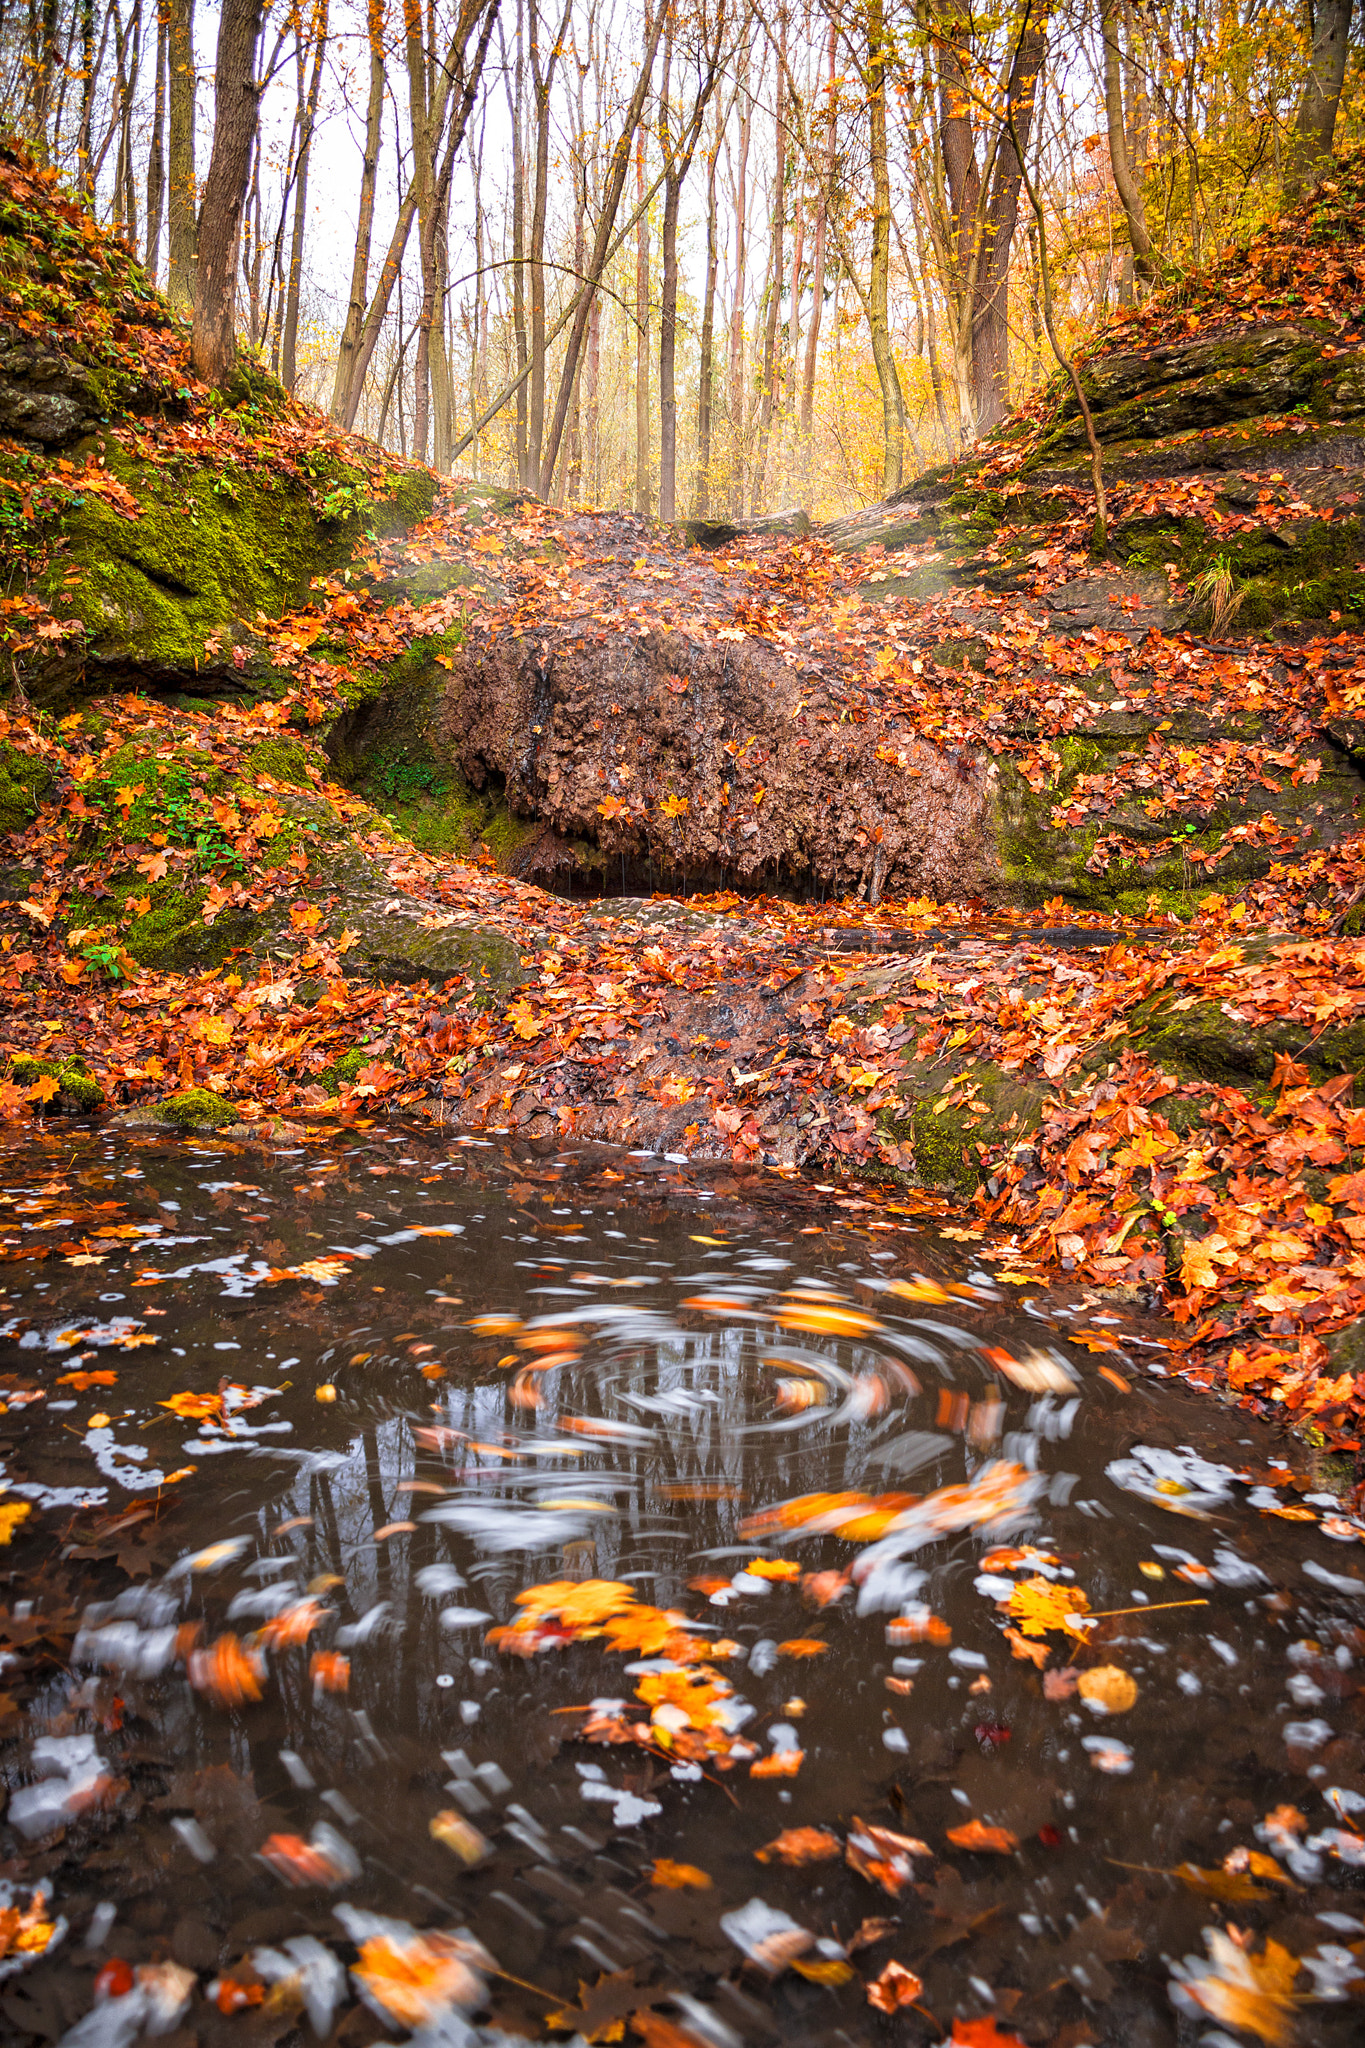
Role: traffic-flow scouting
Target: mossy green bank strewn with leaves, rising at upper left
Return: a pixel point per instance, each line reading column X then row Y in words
column 157, row 525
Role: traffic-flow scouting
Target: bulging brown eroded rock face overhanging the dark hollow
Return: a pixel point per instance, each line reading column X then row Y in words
column 775, row 790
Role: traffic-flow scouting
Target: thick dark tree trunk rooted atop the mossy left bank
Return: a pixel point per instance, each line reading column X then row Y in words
column 234, row 130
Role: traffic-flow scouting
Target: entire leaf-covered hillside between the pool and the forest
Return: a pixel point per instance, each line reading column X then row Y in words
column 1077, row 867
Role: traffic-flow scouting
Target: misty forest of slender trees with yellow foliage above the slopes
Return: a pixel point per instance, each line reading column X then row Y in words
column 699, row 261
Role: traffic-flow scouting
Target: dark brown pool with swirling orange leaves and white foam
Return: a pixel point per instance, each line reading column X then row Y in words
column 711, row 1351
